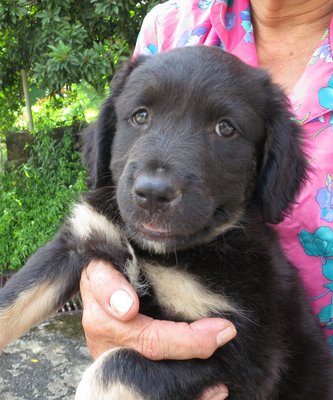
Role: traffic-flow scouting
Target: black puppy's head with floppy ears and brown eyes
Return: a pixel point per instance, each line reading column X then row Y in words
column 192, row 138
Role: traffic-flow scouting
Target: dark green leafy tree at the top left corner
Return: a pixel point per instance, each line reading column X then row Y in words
column 60, row 42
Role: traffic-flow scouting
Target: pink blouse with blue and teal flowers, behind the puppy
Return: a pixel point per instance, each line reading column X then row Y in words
column 307, row 235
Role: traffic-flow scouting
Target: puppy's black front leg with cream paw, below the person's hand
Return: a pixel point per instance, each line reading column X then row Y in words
column 124, row 374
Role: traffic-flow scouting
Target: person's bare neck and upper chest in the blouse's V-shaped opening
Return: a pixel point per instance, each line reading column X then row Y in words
column 286, row 34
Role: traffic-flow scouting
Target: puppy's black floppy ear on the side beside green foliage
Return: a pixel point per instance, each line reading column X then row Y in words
column 98, row 137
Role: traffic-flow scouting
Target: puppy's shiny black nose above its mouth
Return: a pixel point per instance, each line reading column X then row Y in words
column 154, row 193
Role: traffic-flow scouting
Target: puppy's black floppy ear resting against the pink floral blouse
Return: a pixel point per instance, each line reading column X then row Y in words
column 283, row 165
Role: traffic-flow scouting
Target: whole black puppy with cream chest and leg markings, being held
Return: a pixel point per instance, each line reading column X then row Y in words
column 191, row 156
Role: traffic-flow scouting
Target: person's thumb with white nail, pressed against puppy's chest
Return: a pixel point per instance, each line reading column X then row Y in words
column 111, row 290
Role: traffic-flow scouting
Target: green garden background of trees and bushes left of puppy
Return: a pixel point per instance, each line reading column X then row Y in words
column 57, row 58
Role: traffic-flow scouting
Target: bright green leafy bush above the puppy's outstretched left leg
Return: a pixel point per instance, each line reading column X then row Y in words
column 35, row 197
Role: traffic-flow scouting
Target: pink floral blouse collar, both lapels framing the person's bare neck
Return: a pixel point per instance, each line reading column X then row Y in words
column 232, row 22
